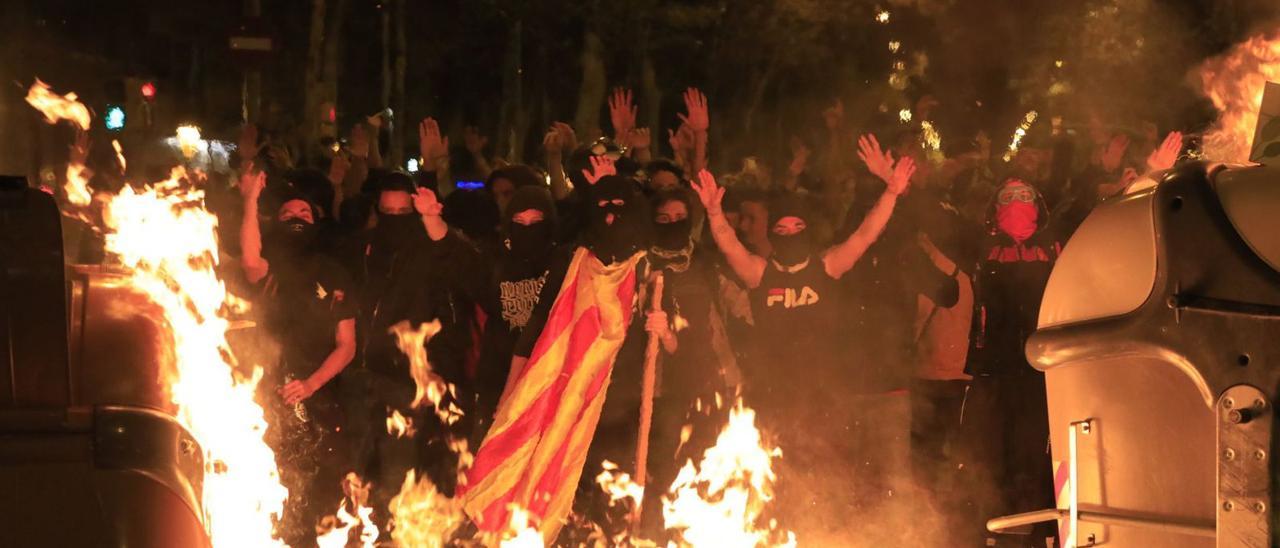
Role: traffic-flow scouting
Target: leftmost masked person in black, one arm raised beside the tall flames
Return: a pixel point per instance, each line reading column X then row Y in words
column 308, row 308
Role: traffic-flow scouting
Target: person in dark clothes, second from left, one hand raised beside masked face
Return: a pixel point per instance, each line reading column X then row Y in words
column 410, row 270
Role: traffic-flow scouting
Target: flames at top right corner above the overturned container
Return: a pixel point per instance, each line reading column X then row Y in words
column 1235, row 83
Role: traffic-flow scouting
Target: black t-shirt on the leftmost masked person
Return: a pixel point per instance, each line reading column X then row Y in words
column 304, row 299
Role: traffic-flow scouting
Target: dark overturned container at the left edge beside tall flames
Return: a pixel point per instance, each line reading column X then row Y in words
column 90, row 454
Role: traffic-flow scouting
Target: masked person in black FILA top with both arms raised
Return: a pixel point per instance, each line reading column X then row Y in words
column 796, row 304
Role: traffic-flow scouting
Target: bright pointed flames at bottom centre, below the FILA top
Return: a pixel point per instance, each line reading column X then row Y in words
column 720, row 503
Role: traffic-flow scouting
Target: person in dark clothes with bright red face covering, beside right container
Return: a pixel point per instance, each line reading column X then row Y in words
column 1005, row 422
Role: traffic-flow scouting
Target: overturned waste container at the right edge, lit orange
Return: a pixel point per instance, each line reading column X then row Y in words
column 1160, row 342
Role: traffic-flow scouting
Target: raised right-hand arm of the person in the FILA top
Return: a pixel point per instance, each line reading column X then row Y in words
column 842, row 258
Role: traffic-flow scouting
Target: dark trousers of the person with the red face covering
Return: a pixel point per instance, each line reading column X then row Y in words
column 1008, row 463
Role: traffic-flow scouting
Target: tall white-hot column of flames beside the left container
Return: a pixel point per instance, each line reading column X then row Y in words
column 168, row 241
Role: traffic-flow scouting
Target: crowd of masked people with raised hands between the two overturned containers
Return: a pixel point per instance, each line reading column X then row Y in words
column 870, row 303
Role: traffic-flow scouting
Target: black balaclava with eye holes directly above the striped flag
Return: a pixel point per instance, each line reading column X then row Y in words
column 630, row 230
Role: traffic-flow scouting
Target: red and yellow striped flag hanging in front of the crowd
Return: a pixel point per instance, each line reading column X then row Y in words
column 534, row 454
